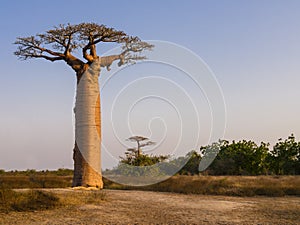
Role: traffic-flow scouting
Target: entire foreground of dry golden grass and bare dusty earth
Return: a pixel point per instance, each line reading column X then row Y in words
column 178, row 200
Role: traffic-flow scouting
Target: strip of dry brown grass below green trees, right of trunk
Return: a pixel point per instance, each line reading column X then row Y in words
column 273, row 186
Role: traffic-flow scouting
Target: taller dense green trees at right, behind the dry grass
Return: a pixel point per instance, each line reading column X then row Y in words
column 247, row 158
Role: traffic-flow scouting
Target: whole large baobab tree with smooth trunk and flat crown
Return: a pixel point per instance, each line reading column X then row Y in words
column 59, row 44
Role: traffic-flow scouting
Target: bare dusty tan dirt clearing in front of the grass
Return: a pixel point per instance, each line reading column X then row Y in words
column 137, row 207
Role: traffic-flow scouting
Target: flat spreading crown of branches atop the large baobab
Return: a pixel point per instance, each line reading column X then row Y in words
column 61, row 42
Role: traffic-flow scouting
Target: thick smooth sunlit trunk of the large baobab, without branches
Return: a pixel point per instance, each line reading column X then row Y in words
column 87, row 152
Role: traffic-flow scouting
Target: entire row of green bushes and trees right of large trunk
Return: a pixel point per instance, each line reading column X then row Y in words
column 222, row 158
